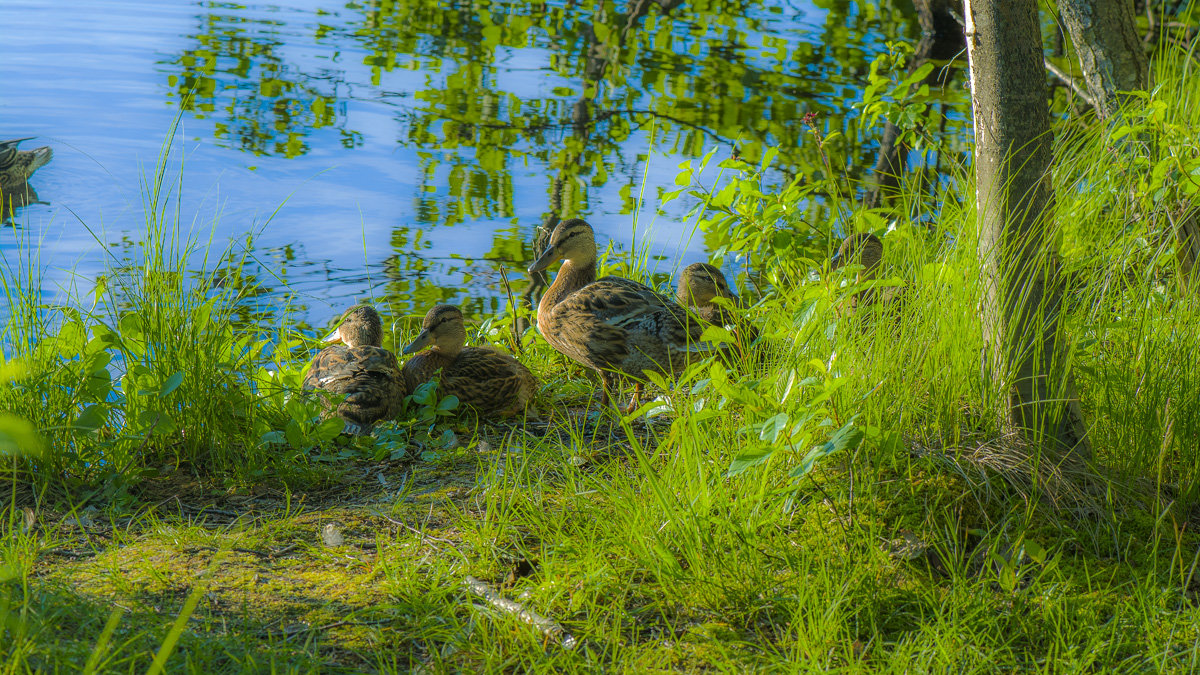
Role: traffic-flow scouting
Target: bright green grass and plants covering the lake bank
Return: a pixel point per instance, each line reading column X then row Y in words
column 842, row 503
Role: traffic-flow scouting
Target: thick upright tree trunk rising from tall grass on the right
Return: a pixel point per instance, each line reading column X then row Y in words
column 1022, row 276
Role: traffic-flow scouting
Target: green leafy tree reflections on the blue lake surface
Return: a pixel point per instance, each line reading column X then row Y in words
column 483, row 92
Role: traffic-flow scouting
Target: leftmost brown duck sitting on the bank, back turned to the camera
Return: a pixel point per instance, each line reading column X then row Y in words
column 356, row 366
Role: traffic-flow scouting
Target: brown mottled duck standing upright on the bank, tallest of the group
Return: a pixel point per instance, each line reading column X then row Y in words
column 617, row 327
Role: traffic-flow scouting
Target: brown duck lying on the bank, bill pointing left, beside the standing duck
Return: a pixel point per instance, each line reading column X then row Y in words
column 489, row 383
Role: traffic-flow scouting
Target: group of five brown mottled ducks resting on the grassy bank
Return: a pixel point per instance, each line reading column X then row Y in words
column 620, row 328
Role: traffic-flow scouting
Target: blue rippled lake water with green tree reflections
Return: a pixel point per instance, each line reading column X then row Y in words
column 403, row 152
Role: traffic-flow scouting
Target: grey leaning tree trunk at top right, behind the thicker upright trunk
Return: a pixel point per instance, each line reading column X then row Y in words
column 1111, row 52
